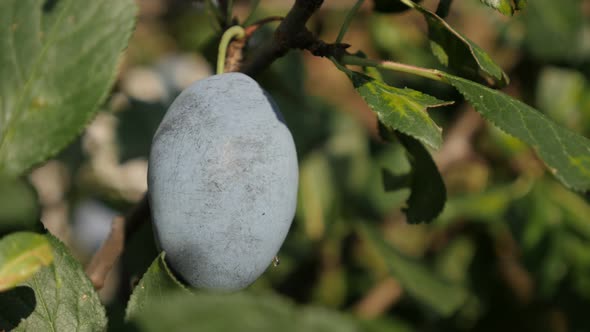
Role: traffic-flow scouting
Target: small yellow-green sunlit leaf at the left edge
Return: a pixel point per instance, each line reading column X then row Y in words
column 22, row 255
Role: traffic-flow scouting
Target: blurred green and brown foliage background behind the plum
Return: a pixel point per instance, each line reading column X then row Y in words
column 512, row 242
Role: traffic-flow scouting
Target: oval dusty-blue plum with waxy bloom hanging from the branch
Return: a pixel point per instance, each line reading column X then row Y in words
column 222, row 182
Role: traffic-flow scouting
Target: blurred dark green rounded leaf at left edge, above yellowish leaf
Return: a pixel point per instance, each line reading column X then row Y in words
column 19, row 210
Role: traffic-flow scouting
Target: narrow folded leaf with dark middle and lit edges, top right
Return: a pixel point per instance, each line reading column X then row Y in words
column 458, row 52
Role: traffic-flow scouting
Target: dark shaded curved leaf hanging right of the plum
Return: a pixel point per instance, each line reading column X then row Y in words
column 428, row 192
